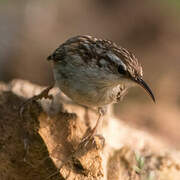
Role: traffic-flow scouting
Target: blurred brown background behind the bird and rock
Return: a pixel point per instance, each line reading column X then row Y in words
column 31, row 29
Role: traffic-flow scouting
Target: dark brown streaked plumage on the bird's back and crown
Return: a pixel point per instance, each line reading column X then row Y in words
column 92, row 48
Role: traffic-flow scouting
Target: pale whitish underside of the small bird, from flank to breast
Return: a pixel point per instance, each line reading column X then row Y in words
column 86, row 85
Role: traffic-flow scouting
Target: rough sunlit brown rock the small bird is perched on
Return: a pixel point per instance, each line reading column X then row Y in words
column 43, row 142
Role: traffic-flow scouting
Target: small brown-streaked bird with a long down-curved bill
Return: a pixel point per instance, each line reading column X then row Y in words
column 95, row 73
